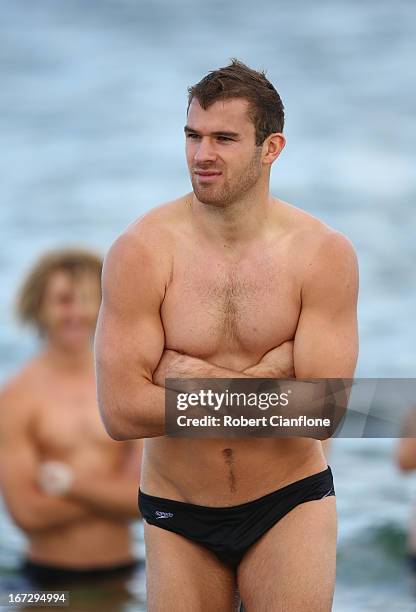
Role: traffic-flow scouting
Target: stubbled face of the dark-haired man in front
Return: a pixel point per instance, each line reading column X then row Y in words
column 223, row 159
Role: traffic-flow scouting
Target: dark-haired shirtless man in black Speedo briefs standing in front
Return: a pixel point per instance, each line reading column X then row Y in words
column 219, row 283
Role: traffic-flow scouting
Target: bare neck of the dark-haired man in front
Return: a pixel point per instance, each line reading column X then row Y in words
column 235, row 224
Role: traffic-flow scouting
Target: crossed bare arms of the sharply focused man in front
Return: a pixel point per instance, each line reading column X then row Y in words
column 130, row 359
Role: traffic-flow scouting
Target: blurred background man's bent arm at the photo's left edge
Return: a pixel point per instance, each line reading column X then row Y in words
column 31, row 509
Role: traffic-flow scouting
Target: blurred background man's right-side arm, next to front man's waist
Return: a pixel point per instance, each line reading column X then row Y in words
column 113, row 494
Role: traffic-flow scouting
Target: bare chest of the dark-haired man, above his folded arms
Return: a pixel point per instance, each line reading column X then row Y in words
column 215, row 307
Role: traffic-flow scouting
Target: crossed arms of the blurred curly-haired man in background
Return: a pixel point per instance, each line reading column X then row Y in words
column 34, row 510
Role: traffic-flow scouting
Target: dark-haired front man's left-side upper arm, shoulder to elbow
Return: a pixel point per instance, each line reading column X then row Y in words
column 129, row 339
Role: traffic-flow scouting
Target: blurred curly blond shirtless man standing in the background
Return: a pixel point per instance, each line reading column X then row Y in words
column 67, row 485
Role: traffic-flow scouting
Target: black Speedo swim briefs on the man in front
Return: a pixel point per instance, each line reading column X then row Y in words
column 230, row 531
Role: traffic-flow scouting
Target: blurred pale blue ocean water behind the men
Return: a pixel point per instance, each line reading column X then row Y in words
column 92, row 108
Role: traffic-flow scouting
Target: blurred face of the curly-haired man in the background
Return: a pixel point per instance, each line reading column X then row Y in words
column 69, row 309
